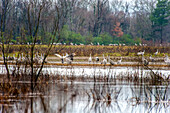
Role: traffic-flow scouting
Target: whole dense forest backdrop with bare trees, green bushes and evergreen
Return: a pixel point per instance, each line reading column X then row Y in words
column 85, row 21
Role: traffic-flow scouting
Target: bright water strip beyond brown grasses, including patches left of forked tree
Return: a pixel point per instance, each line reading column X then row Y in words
column 92, row 70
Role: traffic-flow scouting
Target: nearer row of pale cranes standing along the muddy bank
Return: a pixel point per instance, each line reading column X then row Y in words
column 68, row 58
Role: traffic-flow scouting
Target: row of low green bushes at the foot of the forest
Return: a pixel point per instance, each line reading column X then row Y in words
column 68, row 37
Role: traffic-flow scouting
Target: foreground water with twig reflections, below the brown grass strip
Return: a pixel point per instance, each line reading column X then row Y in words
column 85, row 97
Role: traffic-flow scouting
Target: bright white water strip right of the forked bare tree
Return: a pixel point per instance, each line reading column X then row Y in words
column 102, row 71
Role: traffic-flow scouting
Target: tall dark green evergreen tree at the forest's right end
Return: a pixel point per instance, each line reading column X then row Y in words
column 160, row 16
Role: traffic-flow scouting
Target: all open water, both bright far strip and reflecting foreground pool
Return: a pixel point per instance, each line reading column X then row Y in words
column 94, row 97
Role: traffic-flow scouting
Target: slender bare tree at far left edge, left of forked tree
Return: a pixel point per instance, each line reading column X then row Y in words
column 5, row 7
